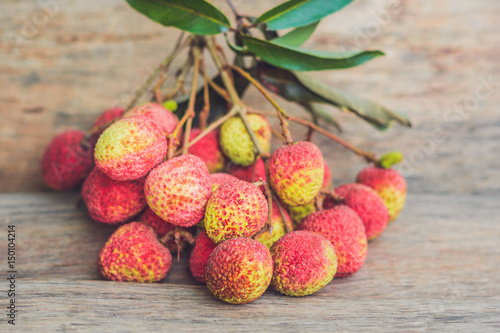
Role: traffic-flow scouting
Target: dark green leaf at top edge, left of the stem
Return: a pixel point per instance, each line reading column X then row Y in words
column 195, row 16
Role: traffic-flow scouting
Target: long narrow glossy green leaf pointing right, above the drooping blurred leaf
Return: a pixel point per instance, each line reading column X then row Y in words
column 296, row 59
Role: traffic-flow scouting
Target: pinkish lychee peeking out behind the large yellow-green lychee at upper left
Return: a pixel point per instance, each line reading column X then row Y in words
column 164, row 119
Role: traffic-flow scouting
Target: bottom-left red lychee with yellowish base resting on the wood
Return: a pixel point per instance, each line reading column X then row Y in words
column 134, row 254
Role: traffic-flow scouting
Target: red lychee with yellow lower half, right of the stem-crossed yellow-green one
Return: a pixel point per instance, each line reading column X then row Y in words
column 296, row 173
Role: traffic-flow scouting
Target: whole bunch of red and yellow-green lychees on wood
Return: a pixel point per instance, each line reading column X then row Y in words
column 237, row 208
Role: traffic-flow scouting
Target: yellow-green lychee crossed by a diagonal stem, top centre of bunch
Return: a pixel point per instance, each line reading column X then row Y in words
column 236, row 142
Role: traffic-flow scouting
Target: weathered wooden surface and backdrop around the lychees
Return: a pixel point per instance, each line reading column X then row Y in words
column 436, row 268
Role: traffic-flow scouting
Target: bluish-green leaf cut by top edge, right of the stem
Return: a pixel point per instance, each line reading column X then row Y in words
column 298, row 13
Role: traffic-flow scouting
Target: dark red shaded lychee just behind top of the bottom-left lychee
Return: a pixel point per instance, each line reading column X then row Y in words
column 162, row 228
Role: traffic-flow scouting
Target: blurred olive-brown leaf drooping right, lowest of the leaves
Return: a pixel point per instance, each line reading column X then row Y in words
column 303, row 89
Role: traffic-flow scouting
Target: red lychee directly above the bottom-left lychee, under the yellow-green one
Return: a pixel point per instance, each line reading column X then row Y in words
column 111, row 201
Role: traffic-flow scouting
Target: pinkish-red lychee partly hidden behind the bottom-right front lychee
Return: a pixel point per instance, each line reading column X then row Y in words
column 345, row 230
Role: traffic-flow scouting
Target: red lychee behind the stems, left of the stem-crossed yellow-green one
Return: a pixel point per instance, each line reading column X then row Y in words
column 207, row 148
